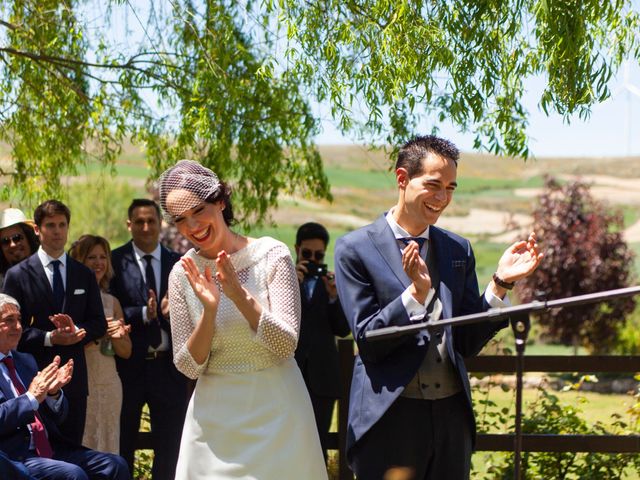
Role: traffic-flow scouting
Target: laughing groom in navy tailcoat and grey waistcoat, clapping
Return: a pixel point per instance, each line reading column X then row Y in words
column 410, row 408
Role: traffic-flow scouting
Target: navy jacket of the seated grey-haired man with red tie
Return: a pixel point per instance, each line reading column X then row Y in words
column 16, row 413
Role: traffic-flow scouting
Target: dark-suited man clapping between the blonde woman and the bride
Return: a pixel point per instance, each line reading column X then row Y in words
column 141, row 276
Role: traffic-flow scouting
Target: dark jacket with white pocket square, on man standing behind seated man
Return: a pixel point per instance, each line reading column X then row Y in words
column 28, row 284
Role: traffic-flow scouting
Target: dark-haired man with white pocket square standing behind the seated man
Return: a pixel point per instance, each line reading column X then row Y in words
column 61, row 307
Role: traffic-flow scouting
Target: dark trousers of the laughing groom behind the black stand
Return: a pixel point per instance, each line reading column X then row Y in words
column 417, row 440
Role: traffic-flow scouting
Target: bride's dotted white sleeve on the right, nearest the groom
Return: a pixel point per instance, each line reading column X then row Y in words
column 279, row 324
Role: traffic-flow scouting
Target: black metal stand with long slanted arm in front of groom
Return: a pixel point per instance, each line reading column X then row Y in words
column 519, row 316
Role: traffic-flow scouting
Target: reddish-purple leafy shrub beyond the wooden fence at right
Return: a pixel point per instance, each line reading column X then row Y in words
column 584, row 253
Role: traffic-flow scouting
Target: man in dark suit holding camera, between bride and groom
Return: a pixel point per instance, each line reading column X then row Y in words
column 322, row 319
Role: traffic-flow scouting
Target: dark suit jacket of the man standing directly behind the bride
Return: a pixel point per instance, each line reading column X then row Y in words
column 129, row 288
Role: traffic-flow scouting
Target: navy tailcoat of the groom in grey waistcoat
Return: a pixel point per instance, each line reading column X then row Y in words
column 370, row 283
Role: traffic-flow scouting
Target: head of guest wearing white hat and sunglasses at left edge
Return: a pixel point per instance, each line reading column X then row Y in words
column 17, row 239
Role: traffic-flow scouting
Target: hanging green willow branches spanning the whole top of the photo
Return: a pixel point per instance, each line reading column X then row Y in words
column 230, row 83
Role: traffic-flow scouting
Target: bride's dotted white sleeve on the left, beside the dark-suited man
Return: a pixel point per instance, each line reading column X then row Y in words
column 182, row 325
